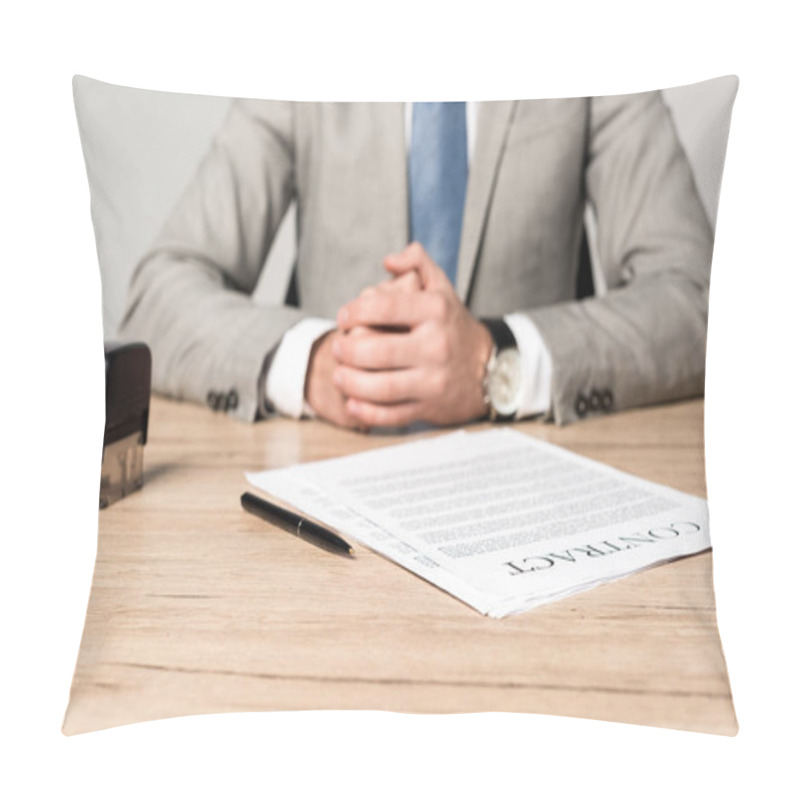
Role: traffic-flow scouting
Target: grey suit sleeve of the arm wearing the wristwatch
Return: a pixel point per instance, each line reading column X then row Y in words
column 643, row 341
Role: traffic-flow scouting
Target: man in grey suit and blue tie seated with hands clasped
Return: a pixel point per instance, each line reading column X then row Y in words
column 438, row 249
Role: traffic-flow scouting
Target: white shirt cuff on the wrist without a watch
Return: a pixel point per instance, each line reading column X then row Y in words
column 286, row 378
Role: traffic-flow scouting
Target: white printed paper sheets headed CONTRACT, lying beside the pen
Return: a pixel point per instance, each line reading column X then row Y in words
column 497, row 518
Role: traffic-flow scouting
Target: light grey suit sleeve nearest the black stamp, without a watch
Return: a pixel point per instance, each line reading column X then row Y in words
column 190, row 295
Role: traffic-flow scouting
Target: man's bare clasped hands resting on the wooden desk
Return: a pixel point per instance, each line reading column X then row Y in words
column 403, row 351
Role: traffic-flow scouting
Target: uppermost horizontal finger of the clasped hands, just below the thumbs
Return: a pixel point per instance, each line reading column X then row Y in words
column 393, row 309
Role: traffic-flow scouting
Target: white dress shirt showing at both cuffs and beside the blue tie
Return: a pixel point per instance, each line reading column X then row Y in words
column 286, row 378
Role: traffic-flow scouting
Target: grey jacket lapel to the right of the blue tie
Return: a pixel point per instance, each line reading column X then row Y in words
column 494, row 119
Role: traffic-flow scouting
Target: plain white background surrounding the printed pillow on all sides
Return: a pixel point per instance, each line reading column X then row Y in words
column 52, row 370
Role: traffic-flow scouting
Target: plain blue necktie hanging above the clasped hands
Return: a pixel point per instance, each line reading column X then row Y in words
column 437, row 172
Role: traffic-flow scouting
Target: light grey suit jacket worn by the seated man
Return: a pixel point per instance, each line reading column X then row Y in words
column 535, row 166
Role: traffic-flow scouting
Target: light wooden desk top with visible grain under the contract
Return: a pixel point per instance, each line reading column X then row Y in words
column 197, row 607
